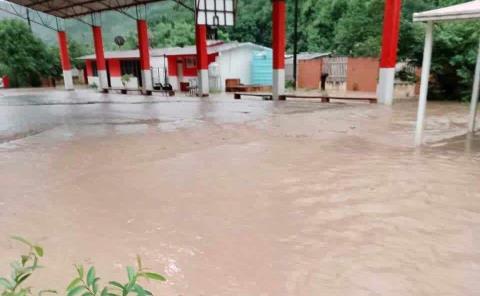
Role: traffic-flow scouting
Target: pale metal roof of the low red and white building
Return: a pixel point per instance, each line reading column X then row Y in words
column 174, row 51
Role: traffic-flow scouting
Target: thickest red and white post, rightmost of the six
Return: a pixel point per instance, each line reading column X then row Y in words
column 388, row 60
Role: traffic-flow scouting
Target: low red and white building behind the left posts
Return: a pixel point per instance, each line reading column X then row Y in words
column 232, row 60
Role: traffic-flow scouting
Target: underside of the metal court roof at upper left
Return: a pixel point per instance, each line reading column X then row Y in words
column 75, row 8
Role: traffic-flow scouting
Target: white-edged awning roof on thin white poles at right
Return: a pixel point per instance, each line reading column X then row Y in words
column 465, row 11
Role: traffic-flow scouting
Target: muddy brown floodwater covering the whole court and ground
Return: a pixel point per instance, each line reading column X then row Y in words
column 243, row 197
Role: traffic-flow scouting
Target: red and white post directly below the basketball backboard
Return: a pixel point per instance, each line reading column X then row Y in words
column 202, row 60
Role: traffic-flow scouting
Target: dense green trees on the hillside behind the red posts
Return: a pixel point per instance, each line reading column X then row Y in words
column 344, row 27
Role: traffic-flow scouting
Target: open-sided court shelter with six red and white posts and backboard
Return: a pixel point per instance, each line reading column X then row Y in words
column 223, row 11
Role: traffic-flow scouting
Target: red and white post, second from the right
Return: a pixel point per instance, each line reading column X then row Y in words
column 278, row 40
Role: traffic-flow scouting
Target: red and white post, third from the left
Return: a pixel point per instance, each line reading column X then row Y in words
column 144, row 48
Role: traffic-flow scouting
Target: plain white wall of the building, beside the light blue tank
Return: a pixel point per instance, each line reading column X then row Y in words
column 236, row 64
